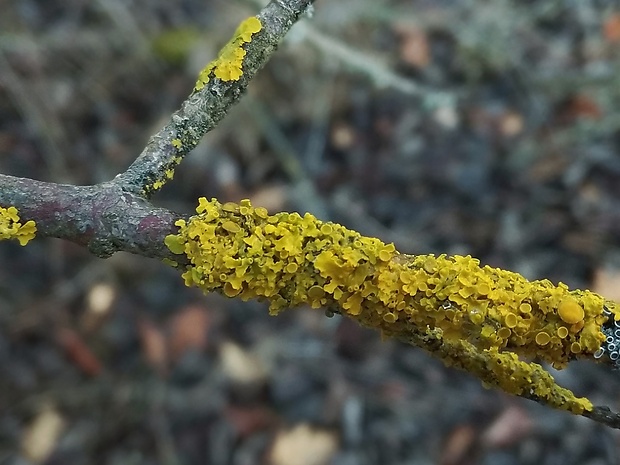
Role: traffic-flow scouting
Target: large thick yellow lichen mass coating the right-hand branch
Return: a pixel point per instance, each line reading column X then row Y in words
column 291, row 260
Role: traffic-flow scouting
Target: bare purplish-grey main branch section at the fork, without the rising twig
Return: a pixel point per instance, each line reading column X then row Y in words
column 105, row 218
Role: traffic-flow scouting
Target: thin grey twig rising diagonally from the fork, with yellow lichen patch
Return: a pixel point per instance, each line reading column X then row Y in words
column 219, row 87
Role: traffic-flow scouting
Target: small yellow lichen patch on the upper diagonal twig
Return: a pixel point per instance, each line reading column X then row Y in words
column 228, row 66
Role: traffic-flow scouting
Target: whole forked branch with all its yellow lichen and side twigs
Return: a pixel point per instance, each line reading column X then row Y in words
column 486, row 321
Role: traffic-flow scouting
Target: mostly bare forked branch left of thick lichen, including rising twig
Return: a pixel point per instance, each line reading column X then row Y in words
column 116, row 216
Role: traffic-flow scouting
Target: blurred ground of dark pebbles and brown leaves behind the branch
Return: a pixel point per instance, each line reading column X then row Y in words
column 475, row 127
